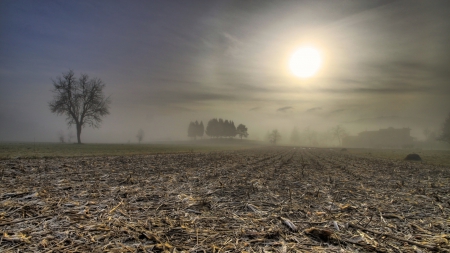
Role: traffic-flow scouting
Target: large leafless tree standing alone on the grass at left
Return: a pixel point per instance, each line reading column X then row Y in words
column 81, row 100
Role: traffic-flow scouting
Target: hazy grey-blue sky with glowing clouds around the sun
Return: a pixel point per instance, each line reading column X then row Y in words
column 166, row 63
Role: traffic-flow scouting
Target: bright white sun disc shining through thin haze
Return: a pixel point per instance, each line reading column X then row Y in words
column 305, row 62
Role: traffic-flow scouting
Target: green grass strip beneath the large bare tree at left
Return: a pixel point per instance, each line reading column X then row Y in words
column 41, row 150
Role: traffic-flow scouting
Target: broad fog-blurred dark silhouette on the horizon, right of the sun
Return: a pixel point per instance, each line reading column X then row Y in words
column 383, row 138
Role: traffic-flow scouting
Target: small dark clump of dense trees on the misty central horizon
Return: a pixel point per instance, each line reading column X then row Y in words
column 217, row 128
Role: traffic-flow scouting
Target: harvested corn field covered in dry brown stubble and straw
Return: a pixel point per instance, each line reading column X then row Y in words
column 257, row 200
